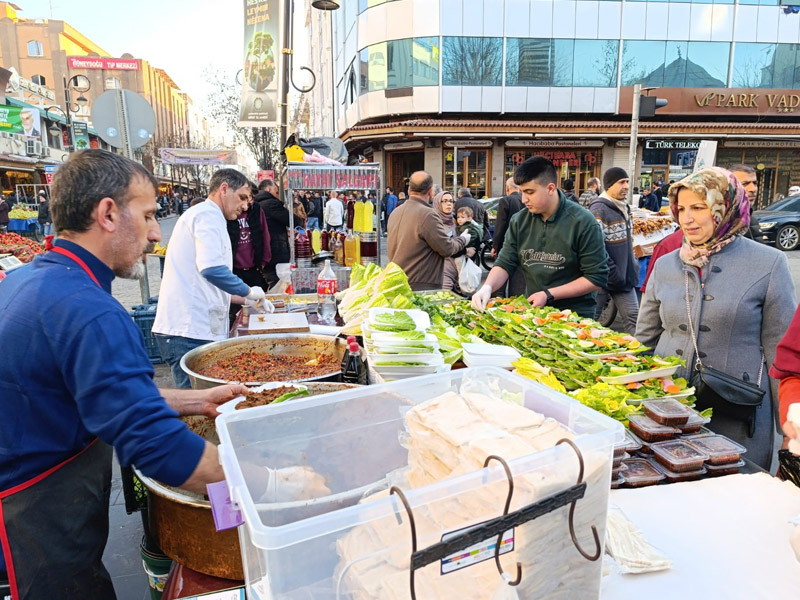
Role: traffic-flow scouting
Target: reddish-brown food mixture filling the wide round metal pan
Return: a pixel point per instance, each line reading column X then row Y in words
column 258, row 366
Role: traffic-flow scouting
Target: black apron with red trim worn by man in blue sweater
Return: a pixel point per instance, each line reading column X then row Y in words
column 54, row 527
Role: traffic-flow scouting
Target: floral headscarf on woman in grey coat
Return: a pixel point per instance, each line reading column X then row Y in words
column 729, row 206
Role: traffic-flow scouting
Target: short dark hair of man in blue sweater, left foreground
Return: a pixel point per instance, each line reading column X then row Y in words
column 85, row 179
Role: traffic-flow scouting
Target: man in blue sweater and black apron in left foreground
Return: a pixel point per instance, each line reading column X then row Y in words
column 79, row 382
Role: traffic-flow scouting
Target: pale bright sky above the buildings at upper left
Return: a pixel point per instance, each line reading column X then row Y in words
column 183, row 37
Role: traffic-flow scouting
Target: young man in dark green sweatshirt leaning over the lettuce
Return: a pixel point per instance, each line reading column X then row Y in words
column 558, row 245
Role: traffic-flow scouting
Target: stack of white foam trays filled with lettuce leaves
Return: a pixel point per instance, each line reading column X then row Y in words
column 394, row 356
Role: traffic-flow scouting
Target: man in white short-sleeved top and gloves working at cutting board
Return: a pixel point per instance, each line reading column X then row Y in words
column 198, row 284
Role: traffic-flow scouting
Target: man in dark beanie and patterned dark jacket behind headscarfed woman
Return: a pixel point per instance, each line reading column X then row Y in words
column 614, row 215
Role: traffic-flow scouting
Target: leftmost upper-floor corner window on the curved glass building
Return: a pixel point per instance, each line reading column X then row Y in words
column 399, row 64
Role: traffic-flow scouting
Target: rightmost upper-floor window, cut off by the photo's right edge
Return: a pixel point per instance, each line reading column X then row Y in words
column 766, row 66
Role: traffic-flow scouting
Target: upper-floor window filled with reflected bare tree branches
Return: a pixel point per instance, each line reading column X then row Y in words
column 472, row 61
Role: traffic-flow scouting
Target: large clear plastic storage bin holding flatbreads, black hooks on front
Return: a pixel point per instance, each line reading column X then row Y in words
column 293, row 550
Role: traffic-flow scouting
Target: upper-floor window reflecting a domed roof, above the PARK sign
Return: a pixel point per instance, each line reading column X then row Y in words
column 675, row 64
